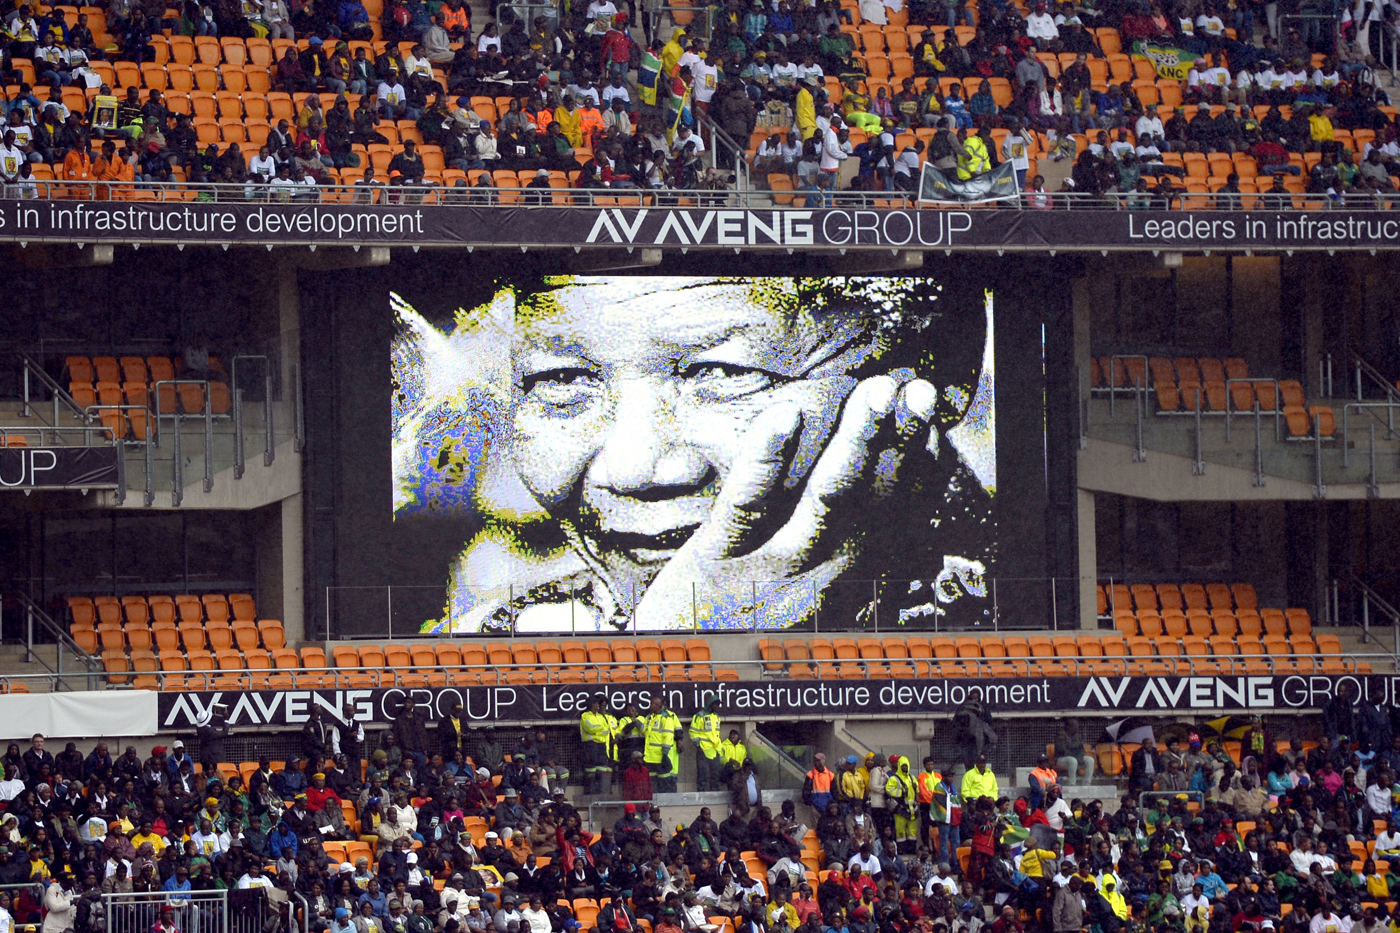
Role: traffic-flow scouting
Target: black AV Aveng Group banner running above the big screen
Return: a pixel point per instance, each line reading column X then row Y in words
column 689, row 228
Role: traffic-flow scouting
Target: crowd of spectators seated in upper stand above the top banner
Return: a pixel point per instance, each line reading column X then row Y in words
column 591, row 107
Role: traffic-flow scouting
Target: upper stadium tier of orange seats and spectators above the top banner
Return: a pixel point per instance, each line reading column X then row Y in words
column 523, row 113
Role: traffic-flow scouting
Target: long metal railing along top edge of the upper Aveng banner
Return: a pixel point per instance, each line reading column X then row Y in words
column 429, row 195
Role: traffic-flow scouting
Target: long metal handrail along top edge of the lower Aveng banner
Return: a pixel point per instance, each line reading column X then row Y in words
column 411, row 677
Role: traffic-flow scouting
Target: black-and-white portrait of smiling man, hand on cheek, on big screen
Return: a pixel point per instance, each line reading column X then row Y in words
column 660, row 455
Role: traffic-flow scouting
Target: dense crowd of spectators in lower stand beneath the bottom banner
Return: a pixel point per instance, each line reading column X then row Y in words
column 447, row 830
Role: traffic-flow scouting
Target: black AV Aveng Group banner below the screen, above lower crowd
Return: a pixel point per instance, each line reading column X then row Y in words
column 782, row 700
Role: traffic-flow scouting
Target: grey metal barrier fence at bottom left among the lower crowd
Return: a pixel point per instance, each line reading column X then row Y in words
column 250, row 911
